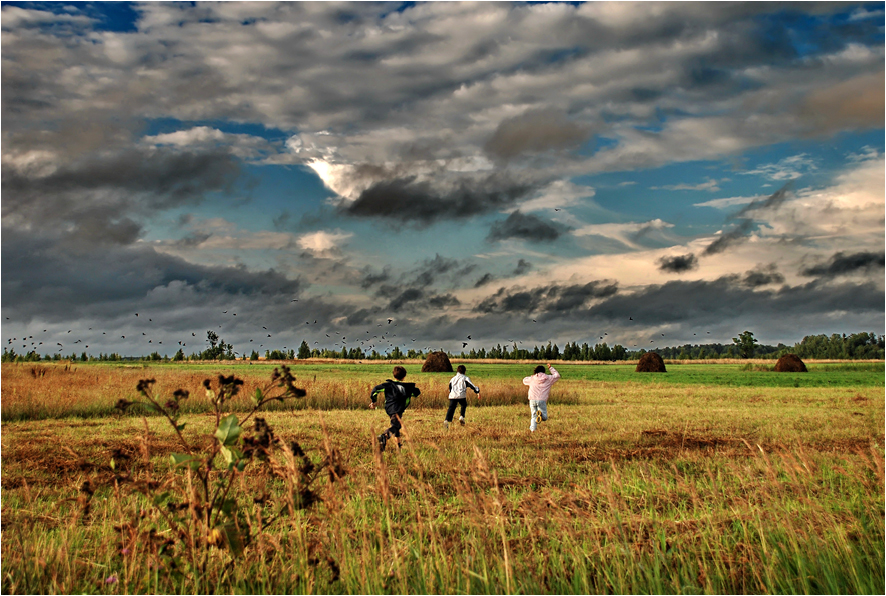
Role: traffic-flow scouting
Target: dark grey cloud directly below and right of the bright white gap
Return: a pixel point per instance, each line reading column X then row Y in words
column 419, row 202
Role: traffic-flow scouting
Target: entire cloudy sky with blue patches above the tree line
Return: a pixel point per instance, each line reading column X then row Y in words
column 277, row 172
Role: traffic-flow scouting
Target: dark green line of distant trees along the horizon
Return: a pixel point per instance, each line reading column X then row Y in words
column 857, row 346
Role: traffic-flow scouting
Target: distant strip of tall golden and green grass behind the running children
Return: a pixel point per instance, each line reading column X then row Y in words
column 32, row 391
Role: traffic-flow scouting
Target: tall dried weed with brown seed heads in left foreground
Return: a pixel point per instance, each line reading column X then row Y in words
column 185, row 517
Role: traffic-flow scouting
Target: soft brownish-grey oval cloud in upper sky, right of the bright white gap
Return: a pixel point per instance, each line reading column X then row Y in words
column 534, row 132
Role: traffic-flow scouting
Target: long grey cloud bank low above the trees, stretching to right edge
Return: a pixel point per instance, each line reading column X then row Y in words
column 684, row 307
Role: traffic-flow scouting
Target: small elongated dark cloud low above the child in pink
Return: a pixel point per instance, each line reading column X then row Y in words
column 554, row 297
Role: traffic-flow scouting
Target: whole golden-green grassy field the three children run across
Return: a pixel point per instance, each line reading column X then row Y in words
column 713, row 478
